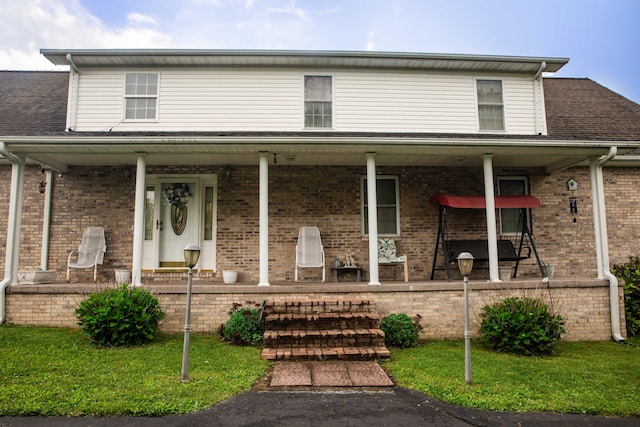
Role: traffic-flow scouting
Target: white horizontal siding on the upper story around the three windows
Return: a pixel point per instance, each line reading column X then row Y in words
column 225, row 99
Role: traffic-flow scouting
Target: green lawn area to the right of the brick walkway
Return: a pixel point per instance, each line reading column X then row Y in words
column 581, row 377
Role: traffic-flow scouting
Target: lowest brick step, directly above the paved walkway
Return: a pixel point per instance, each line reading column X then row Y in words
column 326, row 353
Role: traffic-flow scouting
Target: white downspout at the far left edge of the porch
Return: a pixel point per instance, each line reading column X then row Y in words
column 13, row 227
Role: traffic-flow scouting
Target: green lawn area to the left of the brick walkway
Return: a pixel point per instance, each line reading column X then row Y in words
column 55, row 371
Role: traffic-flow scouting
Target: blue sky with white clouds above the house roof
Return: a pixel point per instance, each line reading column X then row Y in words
column 600, row 37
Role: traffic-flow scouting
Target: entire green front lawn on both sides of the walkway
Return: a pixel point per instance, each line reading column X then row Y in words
column 55, row 371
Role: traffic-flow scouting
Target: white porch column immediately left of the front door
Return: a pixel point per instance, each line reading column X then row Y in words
column 138, row 220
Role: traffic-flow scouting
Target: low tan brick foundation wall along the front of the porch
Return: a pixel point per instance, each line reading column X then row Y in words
column 584, row 304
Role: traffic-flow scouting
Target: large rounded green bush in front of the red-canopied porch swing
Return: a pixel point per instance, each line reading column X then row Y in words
column 522, row 326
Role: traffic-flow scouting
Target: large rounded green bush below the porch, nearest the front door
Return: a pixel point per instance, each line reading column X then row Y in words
column 120, row 317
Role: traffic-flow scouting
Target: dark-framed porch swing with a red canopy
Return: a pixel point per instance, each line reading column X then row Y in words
column 480, row 248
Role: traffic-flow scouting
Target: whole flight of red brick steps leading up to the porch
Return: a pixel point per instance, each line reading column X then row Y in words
column 319, row 330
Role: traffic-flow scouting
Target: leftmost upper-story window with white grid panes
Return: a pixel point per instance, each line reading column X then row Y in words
column 141, row 96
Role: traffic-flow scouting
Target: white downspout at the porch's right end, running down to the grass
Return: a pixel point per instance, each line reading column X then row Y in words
column 602, row 242
